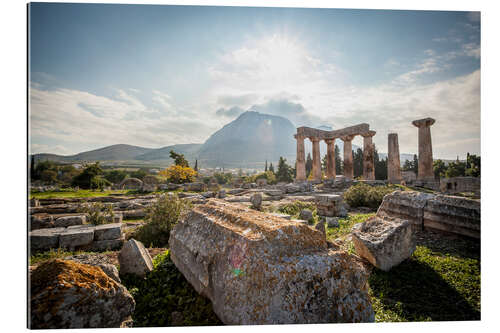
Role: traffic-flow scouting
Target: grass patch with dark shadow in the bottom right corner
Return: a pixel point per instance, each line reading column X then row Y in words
column 429, row 286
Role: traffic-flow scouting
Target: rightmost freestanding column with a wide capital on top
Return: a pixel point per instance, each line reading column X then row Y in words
column 425, row 170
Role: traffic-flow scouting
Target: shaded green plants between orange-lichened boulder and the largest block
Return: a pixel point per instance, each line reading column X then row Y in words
column 165, row 290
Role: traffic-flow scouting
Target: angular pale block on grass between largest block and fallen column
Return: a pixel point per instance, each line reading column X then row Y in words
column 385, row 243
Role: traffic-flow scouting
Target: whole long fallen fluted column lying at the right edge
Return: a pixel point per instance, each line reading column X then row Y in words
column 452, row 214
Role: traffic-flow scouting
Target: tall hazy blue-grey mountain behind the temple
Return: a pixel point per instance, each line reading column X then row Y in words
column 250, row 140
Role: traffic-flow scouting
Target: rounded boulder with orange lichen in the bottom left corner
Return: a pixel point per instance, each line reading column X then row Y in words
column 67, row 294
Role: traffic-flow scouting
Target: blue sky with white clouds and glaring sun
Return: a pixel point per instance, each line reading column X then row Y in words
column 155, row 75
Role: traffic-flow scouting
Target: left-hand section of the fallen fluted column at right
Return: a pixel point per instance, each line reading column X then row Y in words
column 407, row 205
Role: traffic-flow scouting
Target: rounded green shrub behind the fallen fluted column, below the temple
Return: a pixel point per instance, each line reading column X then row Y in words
column 364, row 195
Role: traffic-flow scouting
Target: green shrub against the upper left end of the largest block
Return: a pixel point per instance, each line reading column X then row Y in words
column 160, row 219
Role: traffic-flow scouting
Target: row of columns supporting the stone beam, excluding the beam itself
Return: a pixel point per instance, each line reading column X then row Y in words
column 368, row 157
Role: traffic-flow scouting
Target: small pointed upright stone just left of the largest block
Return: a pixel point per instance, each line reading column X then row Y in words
column 135, row 259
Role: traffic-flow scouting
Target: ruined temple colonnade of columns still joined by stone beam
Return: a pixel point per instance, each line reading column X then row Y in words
column 345, row 134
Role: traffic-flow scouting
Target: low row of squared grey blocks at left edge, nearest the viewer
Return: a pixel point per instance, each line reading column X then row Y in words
column 82, row 237
